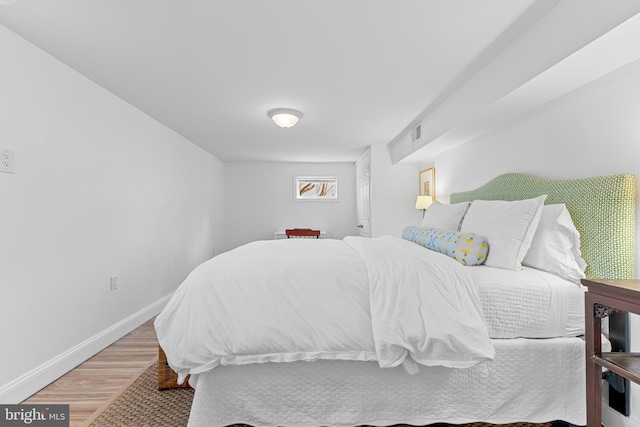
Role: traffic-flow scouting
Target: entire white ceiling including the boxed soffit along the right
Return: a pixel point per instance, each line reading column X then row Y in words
column 362, row 71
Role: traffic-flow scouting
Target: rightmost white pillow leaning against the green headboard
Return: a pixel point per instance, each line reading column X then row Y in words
column 556, row 245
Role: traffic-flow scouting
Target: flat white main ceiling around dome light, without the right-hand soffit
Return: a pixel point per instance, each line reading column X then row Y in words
column 360, row 70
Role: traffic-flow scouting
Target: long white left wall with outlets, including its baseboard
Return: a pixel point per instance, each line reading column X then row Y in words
column 100, row 189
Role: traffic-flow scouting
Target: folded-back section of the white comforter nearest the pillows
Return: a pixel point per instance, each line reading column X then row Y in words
column 423, row 304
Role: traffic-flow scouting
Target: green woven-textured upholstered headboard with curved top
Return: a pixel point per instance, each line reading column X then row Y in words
column 602, row 209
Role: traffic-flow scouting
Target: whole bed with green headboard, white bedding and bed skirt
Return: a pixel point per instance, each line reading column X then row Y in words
column 332, row 342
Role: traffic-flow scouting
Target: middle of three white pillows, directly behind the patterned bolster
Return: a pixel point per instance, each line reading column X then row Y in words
column 508, row 226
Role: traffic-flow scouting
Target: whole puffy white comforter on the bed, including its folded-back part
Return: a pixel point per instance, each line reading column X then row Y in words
column 379, row 299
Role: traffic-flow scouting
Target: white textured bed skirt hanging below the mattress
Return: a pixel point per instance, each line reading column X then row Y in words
column 534, row 381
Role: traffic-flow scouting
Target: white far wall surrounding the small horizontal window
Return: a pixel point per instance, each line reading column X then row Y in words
column 259, row 200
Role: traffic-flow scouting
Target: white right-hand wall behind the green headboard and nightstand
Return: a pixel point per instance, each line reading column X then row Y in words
column 592, row 131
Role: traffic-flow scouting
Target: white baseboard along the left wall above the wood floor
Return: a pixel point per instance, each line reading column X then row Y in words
column 19, row 389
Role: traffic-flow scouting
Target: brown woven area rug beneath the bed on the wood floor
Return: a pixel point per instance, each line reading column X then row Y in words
column 143, row 405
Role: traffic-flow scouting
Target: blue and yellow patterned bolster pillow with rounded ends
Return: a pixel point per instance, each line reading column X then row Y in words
column 466, row 248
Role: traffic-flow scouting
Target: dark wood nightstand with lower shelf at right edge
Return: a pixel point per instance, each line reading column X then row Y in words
column 603, row 298
